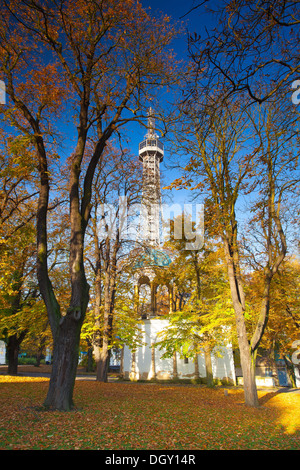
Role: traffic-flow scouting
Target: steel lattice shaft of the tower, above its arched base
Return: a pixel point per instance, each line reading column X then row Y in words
column 151, row 153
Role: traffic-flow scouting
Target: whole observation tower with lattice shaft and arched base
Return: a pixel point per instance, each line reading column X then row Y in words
column 150, row 257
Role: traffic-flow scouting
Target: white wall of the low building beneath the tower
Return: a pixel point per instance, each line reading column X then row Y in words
column 149, row 363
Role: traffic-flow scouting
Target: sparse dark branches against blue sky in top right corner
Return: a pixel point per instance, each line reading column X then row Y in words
column 251, row 44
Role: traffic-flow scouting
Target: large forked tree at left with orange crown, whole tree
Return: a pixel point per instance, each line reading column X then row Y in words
column 104, row 58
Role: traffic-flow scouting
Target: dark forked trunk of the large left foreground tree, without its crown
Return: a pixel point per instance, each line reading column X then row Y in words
column 66, row 329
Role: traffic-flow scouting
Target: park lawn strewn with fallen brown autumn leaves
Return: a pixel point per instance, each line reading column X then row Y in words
column 119, row 416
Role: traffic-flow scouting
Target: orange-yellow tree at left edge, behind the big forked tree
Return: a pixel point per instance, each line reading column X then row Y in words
column 17, row 210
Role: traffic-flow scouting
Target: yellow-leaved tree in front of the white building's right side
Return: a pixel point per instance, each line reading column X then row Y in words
column 201, row 320
